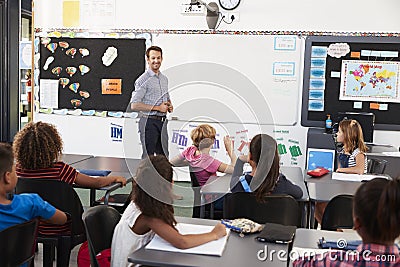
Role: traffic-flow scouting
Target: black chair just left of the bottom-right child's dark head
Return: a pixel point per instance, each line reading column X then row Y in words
column 338, row 213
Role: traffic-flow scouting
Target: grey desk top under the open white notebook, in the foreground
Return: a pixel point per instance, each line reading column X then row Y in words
column 239, row 251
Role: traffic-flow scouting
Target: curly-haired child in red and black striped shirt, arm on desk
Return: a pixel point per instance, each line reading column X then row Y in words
column 38, row 147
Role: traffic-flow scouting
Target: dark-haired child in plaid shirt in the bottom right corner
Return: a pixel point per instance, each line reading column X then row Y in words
column 376, row 219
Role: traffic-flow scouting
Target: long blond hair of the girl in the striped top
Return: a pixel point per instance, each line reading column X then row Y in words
column 352, row 136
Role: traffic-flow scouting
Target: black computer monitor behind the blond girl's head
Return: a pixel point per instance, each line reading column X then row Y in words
column 366, row 120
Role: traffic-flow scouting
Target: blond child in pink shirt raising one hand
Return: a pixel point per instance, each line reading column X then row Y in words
column 198, row 155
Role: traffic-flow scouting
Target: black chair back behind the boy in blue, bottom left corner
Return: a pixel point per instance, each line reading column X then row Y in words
column 18, row 244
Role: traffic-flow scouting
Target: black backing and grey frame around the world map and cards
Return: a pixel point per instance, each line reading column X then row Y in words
column 384, row 120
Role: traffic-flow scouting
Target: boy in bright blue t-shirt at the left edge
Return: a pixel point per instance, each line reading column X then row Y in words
column 23, row 207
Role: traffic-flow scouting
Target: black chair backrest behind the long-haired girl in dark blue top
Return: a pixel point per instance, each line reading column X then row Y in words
column 282, row 209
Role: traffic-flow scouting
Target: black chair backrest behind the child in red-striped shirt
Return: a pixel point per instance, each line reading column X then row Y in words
column 60, row 194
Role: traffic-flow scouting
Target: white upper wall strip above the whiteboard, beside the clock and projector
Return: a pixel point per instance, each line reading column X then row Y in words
column 305, row 15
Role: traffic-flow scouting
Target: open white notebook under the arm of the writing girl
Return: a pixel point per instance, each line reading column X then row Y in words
column 211, row 248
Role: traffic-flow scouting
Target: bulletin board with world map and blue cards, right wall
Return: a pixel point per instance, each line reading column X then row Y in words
column 359, row 63
